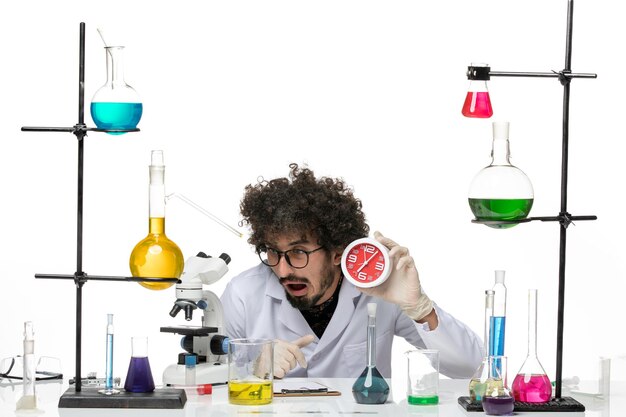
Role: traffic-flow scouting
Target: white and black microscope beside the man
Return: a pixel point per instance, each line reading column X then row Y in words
column 203, row 343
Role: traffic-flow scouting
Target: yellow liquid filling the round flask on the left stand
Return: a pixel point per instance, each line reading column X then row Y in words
column 156, row 256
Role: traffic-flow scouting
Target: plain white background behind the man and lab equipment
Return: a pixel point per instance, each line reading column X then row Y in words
column 370, row 91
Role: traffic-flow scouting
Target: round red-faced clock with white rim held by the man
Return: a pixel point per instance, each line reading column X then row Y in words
column 365, row 262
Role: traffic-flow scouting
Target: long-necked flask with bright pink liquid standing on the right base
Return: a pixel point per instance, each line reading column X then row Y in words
column 532, row 383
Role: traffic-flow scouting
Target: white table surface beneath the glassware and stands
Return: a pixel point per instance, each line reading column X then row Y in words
column 217, row 404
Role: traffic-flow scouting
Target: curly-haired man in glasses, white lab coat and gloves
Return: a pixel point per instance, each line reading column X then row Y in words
column 297, row 295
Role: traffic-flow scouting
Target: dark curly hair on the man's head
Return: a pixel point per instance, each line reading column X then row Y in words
column 302, row 204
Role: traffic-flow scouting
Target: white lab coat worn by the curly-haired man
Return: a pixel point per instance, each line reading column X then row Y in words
column 255, row 306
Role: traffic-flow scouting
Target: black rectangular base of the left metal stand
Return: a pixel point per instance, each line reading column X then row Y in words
column 91, row 398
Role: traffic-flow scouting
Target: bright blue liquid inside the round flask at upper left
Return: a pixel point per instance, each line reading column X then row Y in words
column 111, row 115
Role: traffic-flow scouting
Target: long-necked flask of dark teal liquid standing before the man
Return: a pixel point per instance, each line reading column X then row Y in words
column 370, row 387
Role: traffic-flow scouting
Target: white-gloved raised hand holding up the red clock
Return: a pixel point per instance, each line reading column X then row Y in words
column 403, row 285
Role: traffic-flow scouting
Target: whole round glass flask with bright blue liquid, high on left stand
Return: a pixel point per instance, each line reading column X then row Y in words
column 116, row 105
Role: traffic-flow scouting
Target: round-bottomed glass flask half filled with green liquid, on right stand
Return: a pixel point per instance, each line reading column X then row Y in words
column 500, row 192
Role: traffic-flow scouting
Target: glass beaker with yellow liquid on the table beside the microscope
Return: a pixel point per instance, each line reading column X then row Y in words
column 250, row 371
